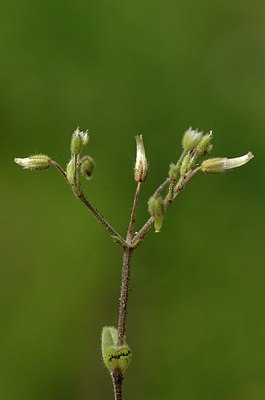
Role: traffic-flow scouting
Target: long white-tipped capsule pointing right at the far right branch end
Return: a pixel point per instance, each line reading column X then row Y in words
column 217, row 165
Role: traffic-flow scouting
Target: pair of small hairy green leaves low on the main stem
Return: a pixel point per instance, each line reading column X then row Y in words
column 114, row 357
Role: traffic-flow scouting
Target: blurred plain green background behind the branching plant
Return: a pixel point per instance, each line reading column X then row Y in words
column 197, row 302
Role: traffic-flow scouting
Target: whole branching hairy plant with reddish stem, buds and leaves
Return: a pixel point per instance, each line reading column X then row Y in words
column 115, row 351
